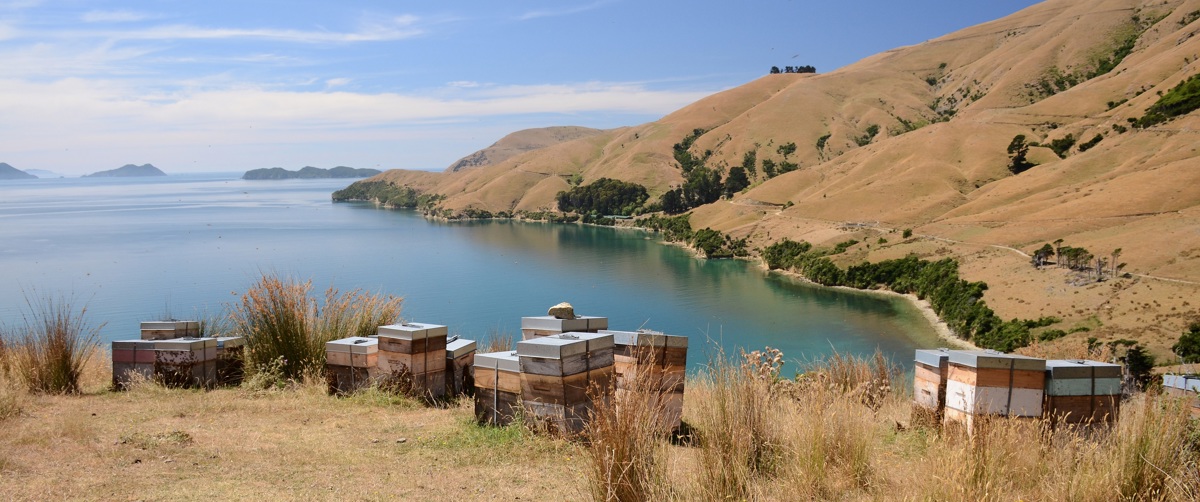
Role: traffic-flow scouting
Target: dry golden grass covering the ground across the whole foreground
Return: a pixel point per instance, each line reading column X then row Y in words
column 754, row 438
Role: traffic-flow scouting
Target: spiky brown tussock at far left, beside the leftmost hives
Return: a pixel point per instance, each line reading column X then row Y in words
column 52, row 348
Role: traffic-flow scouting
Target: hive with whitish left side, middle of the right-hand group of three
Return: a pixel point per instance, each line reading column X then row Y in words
column 992, row 384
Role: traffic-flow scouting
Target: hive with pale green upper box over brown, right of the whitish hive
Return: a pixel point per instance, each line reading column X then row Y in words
column 1083, row 392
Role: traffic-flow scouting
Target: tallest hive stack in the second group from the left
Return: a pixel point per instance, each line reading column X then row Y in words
column 416, row 351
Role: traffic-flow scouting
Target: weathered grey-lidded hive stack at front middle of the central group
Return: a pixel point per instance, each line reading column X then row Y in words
column 557, row 374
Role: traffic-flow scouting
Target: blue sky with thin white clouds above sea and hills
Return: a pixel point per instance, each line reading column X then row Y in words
column 233, row 86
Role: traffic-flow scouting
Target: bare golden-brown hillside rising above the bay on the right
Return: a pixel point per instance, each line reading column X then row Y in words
column 917, row 138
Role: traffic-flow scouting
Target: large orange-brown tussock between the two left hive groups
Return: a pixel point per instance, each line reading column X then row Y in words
column 286, row 326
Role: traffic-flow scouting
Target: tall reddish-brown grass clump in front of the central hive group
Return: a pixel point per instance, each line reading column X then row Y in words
column 627, row 449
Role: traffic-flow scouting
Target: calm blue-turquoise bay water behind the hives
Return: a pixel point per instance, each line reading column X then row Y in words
column 187, row 246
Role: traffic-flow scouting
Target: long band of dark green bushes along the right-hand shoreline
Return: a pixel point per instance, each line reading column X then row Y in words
column 956, row 301
